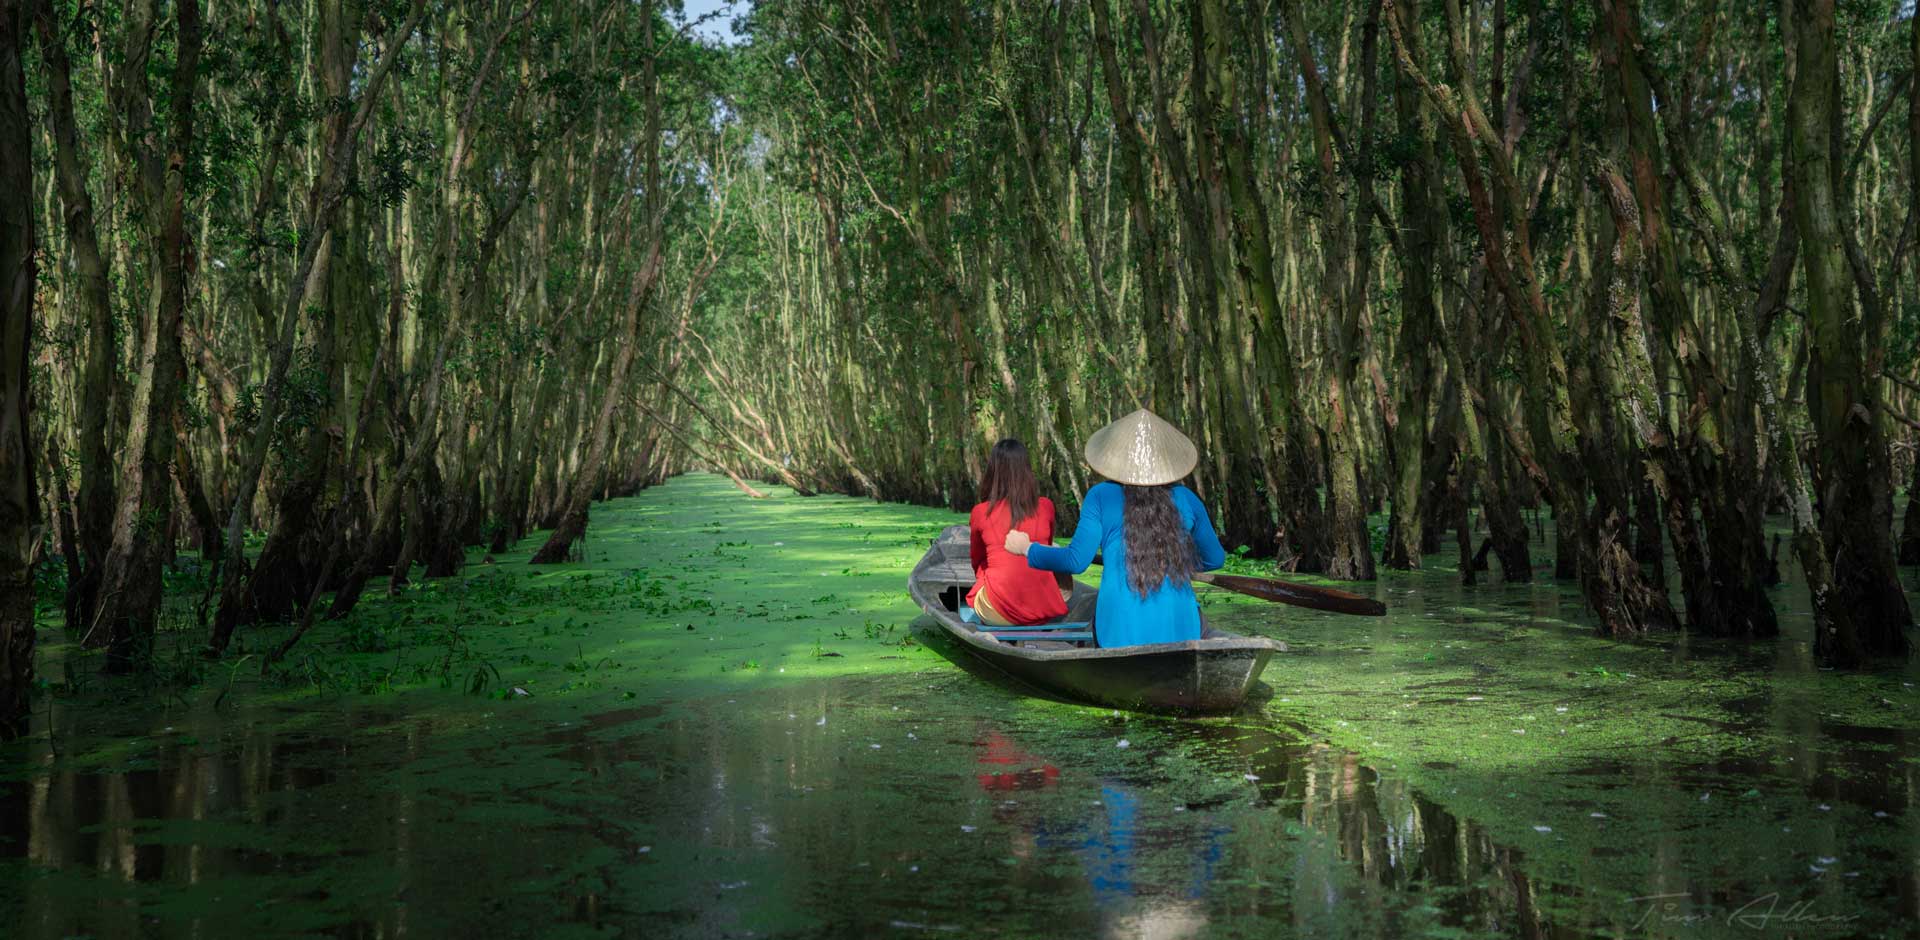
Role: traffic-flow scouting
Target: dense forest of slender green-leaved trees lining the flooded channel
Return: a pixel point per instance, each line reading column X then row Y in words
column 320, row 296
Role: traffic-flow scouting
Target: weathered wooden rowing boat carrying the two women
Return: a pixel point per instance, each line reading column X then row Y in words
column 1211, row 674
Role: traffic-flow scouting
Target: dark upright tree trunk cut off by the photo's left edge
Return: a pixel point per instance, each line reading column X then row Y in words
column 18, row 496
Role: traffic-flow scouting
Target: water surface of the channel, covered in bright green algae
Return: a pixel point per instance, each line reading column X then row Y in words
column 731, row 720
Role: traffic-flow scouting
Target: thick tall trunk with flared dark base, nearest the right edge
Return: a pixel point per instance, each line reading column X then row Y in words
column 1867, row 607
